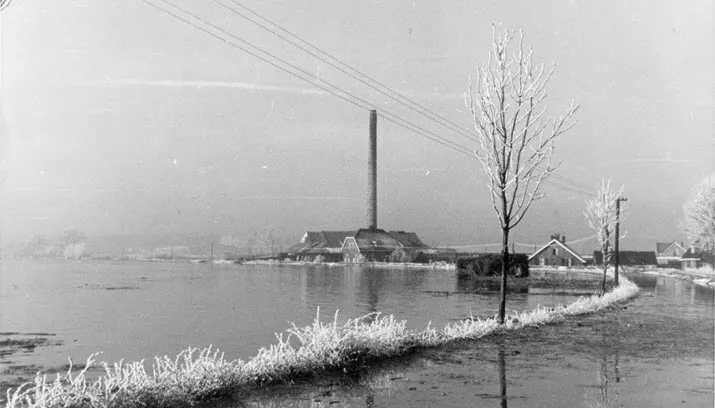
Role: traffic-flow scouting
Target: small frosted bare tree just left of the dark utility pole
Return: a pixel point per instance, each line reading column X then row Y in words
column 601, row 216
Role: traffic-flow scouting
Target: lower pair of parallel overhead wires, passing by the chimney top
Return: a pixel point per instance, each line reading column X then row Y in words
column 366, row 104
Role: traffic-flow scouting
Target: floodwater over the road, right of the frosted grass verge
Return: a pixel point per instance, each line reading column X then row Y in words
column 655, row 351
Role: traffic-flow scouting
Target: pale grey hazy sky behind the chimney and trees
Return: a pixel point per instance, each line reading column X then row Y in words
column 120, row 118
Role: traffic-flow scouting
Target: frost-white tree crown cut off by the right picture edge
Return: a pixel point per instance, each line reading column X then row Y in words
column 699, row 212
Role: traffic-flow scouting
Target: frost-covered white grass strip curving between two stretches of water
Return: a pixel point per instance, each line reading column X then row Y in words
column 197, row 375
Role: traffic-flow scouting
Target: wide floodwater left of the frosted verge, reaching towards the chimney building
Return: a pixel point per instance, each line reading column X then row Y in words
column 136, row 311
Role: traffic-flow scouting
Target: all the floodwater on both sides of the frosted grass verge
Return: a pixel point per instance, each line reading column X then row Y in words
column 657, row 351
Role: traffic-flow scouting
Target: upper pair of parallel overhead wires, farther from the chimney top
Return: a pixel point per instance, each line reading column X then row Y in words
column 362, row 77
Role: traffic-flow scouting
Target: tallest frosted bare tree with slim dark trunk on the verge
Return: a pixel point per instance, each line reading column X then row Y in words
column 516, row 136
